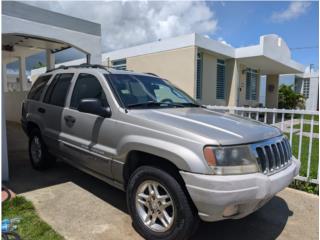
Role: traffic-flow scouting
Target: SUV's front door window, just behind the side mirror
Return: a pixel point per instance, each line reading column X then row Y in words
column 87, row 86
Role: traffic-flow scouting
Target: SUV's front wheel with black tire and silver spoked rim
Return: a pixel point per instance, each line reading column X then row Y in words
column 184, row 219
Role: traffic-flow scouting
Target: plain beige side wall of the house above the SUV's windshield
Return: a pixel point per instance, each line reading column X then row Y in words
column 178, row 66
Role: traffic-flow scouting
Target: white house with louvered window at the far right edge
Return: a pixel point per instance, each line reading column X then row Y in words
column 307, row 84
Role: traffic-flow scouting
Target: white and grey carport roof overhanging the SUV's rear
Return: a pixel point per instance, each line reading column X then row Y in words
column 37, row 29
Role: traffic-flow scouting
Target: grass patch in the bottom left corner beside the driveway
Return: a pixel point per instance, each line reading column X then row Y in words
column 31, row 227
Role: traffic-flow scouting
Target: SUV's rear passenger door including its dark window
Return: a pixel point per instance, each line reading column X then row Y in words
column 52, row 107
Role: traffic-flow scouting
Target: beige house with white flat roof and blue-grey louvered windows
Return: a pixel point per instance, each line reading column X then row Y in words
column 208, row 70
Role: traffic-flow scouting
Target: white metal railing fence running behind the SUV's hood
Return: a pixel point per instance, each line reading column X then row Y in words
column 301, row 127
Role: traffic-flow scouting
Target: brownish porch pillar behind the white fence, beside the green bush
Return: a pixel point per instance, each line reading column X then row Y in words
column 272, row 87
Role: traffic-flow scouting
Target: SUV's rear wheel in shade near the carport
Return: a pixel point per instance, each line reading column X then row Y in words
column 39, row 156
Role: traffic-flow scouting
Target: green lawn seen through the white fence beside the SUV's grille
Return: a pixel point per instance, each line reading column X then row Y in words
column 304, row 154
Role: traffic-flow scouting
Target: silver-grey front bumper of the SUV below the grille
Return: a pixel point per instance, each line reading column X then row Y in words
column 213, row 194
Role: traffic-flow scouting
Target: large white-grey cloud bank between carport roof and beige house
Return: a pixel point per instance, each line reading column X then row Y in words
column 130, row 23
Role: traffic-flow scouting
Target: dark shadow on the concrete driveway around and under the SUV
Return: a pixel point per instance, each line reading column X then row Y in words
column 267, row 223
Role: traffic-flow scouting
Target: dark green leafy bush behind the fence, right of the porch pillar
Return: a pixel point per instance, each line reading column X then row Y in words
column 289, row 99
